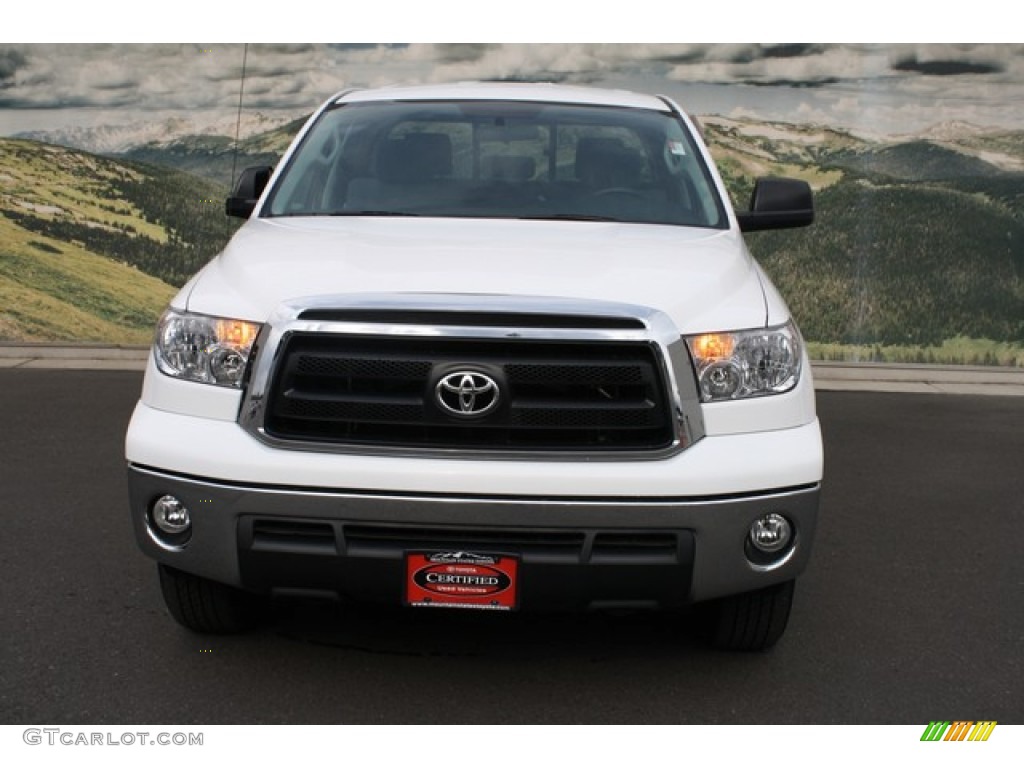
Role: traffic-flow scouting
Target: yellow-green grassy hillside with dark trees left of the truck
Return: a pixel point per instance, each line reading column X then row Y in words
column 92, row 249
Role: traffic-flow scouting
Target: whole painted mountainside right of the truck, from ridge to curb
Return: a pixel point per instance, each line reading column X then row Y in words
column 917, row 253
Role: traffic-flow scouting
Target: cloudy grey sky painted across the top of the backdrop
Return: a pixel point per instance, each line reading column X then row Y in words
column 874, row 90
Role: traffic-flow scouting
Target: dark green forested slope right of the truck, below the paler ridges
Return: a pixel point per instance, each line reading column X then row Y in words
column 902, row 265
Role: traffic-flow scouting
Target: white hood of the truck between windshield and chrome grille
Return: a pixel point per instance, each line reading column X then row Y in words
column 705, row 280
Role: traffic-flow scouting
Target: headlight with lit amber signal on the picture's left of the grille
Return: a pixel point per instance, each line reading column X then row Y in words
column 197, row 348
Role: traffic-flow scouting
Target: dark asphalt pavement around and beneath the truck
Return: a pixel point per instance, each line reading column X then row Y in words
column 911, row 611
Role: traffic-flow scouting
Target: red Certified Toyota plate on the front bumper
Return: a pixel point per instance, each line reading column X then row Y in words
column 462, row 580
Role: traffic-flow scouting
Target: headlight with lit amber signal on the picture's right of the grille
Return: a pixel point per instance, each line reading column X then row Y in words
column 747, row 364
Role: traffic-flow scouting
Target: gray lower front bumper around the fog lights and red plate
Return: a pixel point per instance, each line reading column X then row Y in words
column 575, row 553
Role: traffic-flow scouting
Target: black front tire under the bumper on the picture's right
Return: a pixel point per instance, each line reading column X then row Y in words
column 752, row 621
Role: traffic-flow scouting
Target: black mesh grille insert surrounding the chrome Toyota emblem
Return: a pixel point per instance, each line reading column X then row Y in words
column 554, row 396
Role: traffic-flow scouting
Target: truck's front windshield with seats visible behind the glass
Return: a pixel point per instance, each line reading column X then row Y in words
column 499, row 160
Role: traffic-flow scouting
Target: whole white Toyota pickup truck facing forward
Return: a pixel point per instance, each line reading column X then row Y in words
column 485, row 347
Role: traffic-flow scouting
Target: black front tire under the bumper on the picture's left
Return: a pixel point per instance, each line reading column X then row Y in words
column 205, row 607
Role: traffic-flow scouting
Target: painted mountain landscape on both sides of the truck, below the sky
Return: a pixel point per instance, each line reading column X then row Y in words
column 918, row 252
